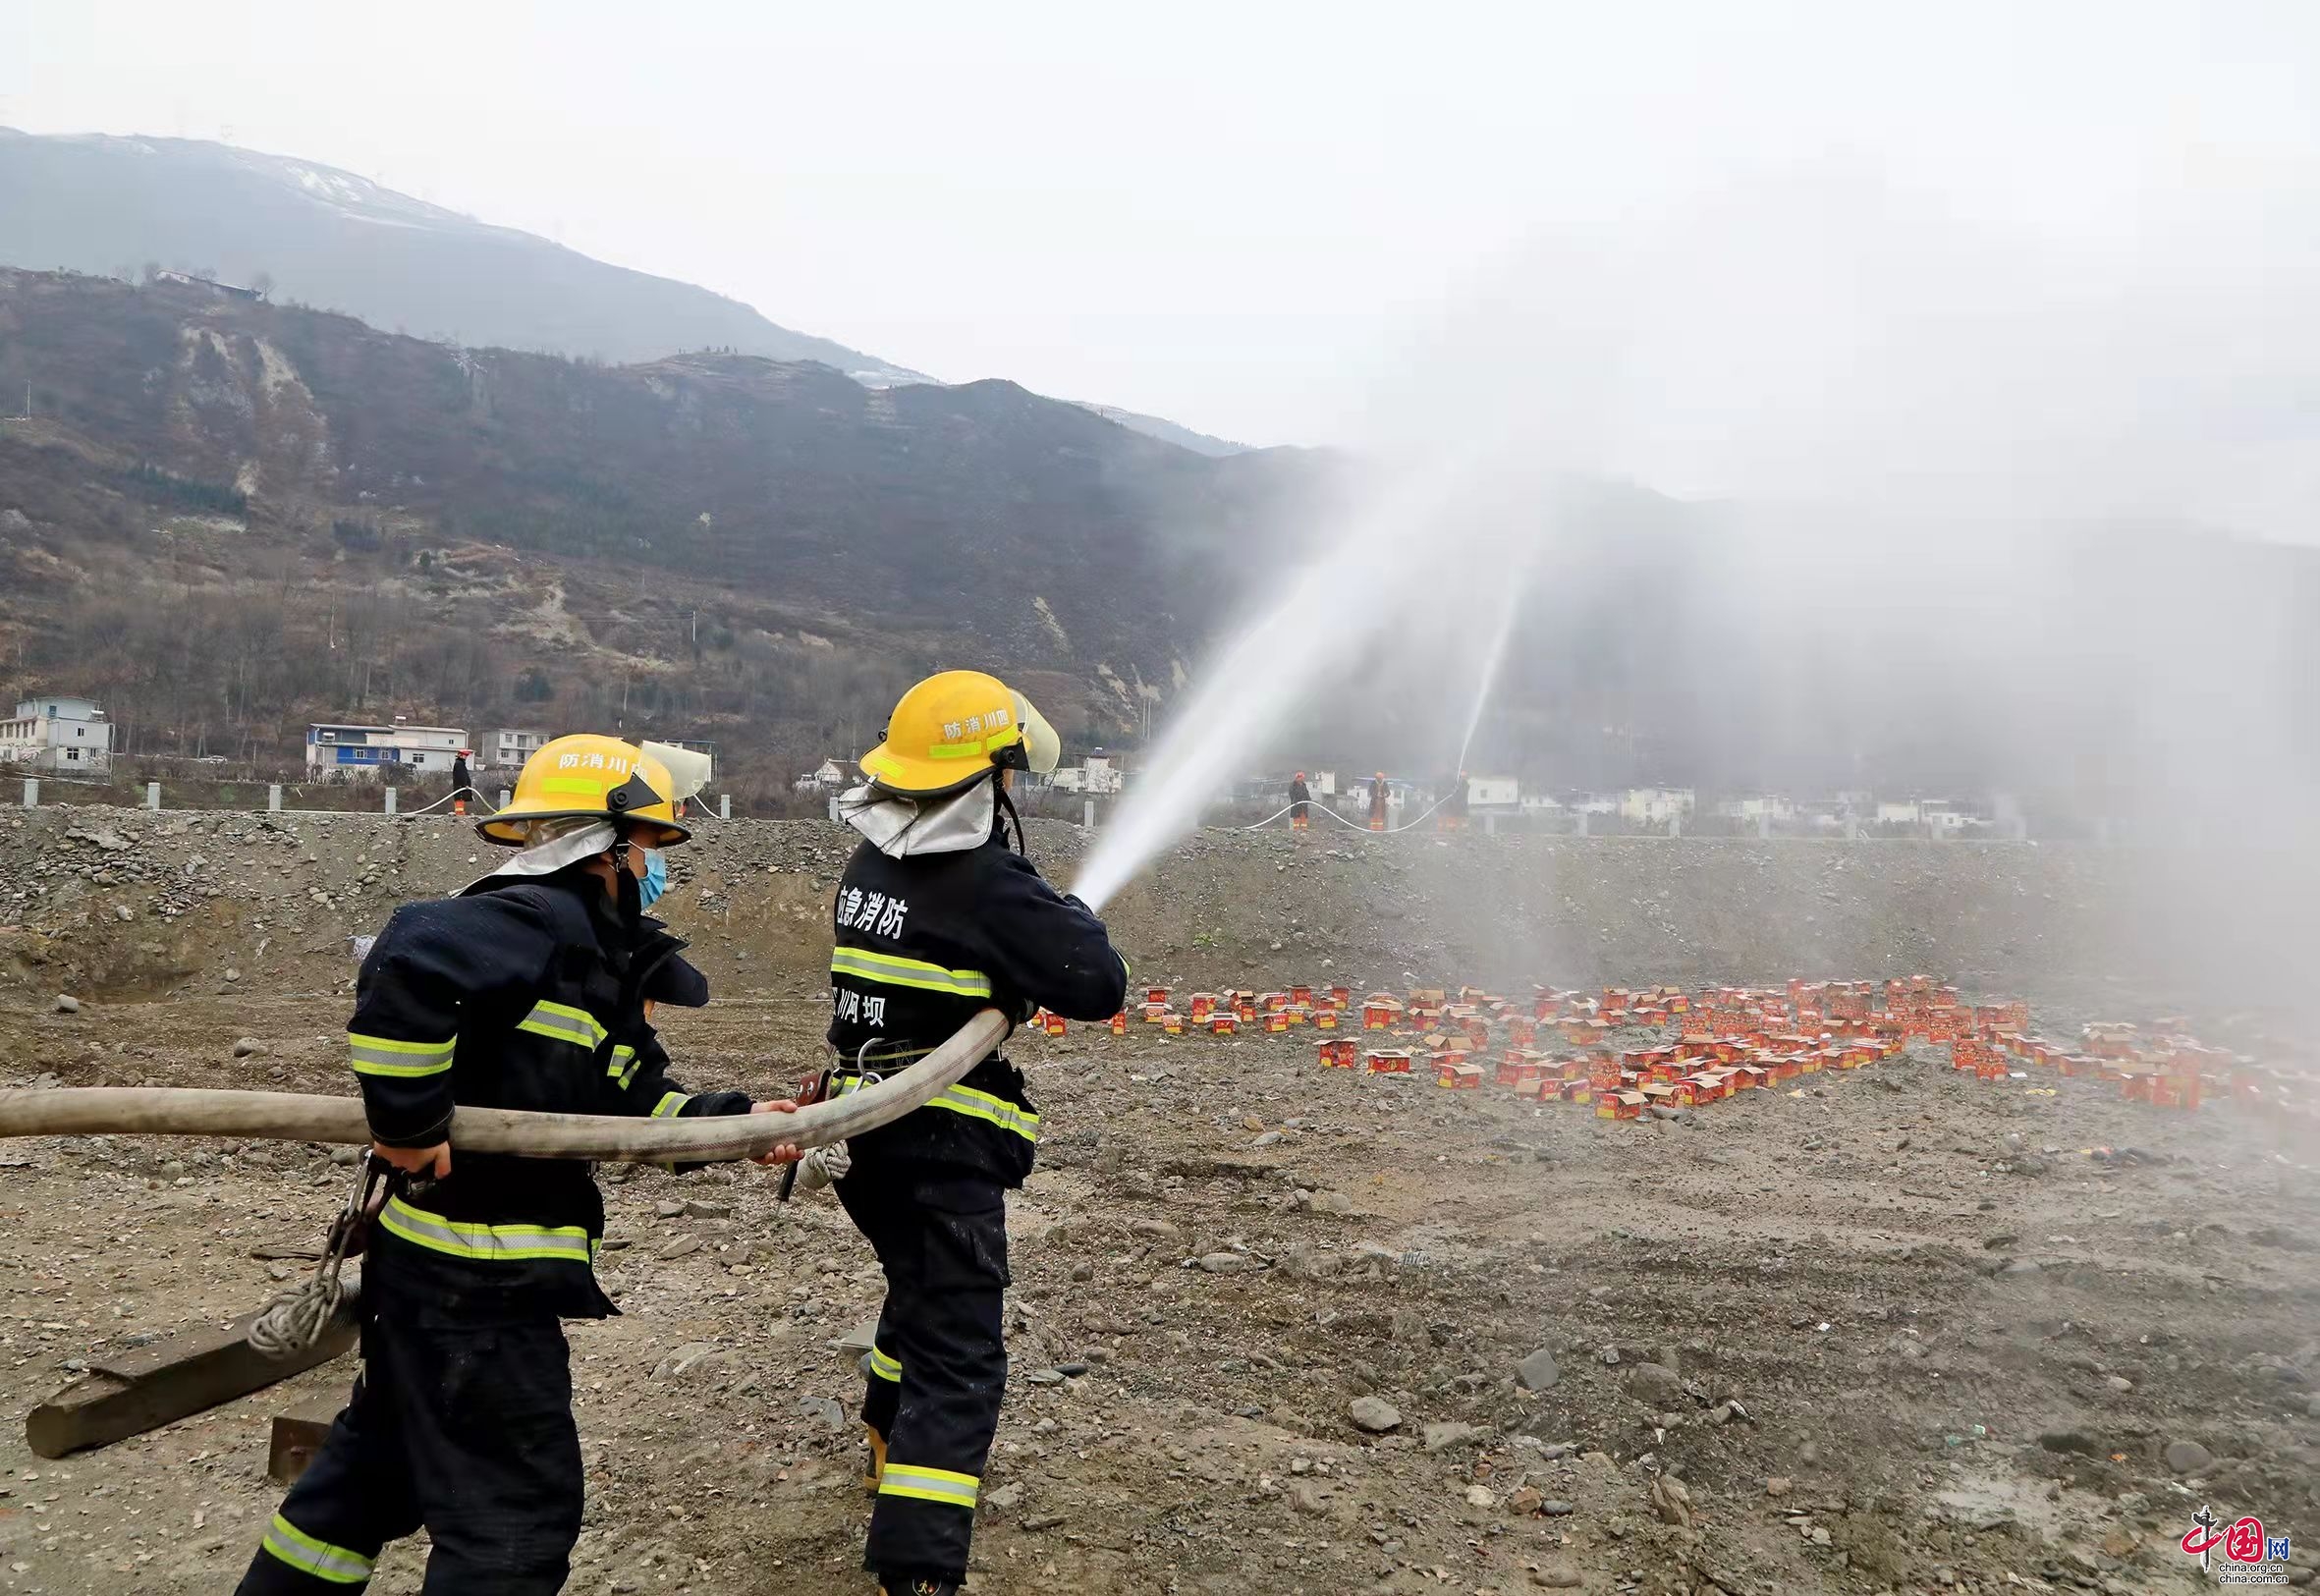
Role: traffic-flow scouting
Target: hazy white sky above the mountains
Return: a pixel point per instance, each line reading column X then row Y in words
column 1723, row 247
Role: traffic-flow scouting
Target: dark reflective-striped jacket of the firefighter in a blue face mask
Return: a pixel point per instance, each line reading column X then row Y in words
column 519, row 996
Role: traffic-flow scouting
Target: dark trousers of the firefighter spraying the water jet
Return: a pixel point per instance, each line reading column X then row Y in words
column 938, row 1365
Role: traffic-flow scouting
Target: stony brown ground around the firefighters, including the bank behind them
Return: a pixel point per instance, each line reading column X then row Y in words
column 1275, row 1330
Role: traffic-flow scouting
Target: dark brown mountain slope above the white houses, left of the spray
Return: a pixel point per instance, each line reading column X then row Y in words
column 277, row 516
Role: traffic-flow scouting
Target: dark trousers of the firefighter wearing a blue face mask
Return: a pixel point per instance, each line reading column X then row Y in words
column 465, row 1430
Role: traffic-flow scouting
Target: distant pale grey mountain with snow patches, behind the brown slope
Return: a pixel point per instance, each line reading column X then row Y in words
column 338, row 240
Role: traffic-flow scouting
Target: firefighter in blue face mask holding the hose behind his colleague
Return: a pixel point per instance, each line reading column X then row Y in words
column 525, row 992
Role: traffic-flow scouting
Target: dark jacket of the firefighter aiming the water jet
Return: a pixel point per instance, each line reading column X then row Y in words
column 929, row 941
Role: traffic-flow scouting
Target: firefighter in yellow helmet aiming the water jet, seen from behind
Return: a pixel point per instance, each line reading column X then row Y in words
column 941, row 915
